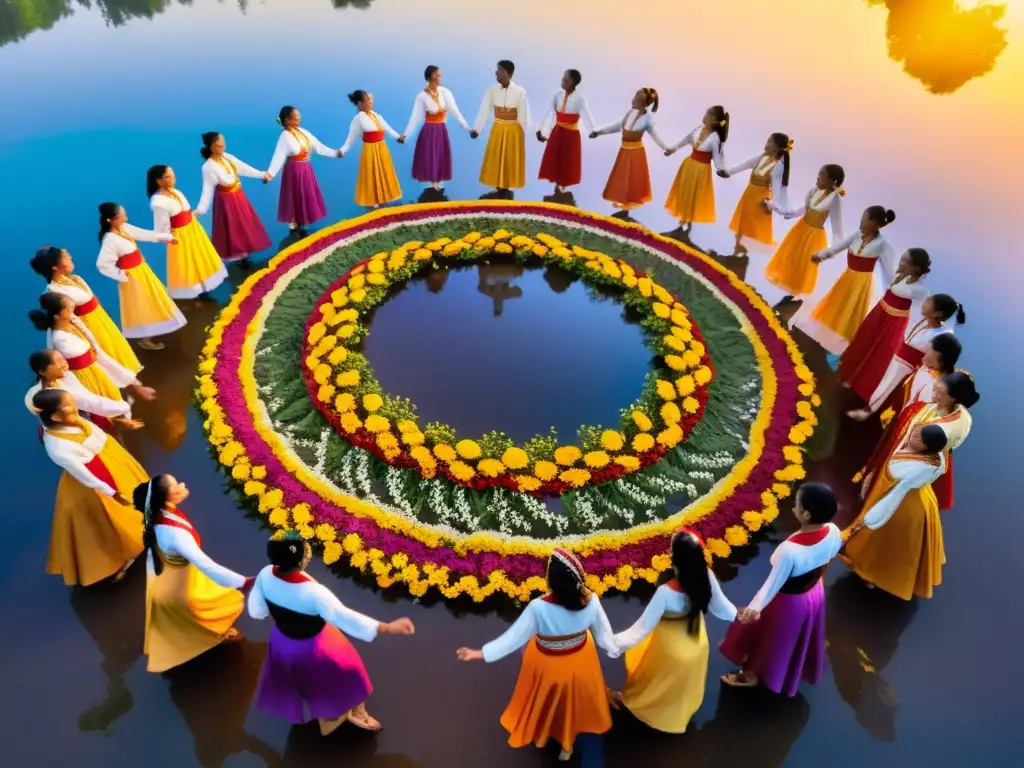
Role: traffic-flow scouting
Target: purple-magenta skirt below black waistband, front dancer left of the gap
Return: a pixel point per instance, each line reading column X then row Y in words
column 319, row 678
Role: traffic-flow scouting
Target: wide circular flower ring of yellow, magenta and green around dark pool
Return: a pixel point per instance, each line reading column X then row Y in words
column 713, row 440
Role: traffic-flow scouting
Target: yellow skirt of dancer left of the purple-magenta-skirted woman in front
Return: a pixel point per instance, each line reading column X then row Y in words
column 187, row 615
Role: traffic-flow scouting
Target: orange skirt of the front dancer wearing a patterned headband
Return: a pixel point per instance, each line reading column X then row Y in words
column 558, row 698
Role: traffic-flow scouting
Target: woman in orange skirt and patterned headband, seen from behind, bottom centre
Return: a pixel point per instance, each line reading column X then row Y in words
column 561, row 693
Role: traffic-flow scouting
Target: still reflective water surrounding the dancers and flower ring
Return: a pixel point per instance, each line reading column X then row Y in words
column 919, row 102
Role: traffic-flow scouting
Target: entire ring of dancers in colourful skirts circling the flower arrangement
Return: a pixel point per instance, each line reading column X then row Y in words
column 110, row 511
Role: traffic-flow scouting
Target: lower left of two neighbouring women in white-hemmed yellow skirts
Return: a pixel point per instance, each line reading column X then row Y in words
column 147, row 310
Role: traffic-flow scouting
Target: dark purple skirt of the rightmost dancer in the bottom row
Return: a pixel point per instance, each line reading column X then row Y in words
column 786, row 646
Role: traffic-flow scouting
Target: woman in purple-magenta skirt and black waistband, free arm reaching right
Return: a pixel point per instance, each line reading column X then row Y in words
column 311, row 666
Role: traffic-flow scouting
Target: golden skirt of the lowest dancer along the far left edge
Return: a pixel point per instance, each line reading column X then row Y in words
column 93, row 537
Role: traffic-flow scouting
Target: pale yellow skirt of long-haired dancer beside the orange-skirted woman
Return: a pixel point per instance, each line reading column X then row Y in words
column 667, row 674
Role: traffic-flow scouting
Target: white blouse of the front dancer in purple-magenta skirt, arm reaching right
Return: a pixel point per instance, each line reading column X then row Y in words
column 312, row 599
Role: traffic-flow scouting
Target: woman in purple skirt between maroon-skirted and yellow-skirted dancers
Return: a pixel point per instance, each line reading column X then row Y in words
column 302, row 203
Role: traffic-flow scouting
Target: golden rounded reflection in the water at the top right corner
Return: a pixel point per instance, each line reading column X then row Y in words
column 942, row 44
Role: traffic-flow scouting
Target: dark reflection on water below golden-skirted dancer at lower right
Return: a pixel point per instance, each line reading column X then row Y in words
column 864, row 631
